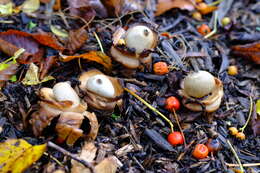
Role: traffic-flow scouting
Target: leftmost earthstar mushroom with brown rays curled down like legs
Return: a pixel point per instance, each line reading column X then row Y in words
column 62, row 101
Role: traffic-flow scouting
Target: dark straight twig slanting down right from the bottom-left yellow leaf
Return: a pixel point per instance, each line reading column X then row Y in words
column 73, row 156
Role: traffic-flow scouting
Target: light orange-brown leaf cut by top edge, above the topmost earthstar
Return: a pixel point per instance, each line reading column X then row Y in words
column 165, row 5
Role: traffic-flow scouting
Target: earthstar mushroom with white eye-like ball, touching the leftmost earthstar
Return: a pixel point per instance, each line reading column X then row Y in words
column 101, row 92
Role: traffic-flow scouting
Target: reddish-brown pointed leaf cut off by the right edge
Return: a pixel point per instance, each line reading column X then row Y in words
column 250, row 51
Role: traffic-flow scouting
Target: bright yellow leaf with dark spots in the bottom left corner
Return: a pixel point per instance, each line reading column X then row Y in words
column 16, row 155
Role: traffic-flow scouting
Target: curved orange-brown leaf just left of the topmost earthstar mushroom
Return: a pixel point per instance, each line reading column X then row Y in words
column 96, row 56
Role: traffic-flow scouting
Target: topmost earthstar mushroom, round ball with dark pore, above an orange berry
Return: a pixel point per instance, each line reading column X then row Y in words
column 134, row 45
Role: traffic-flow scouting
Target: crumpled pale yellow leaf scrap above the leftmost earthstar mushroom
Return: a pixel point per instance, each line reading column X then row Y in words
column 32, row 76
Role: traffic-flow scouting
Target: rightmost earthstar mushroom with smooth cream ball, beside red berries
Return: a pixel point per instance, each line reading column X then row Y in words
column 201, row 90
